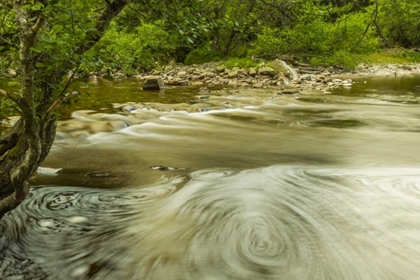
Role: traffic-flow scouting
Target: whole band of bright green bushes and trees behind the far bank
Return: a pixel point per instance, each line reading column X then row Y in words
column 321, row 31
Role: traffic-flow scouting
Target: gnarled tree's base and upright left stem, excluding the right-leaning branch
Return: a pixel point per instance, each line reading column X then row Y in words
column 24, row 145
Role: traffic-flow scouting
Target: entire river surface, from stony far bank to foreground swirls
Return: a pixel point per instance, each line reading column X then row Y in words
column 246, row 184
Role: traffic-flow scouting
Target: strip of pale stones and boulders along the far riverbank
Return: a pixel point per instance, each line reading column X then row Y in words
column 274, row 75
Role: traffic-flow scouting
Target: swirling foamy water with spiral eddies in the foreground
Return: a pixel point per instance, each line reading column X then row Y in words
column 279, row 222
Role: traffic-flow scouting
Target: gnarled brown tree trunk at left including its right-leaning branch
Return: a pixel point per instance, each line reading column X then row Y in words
column 27, row 144
